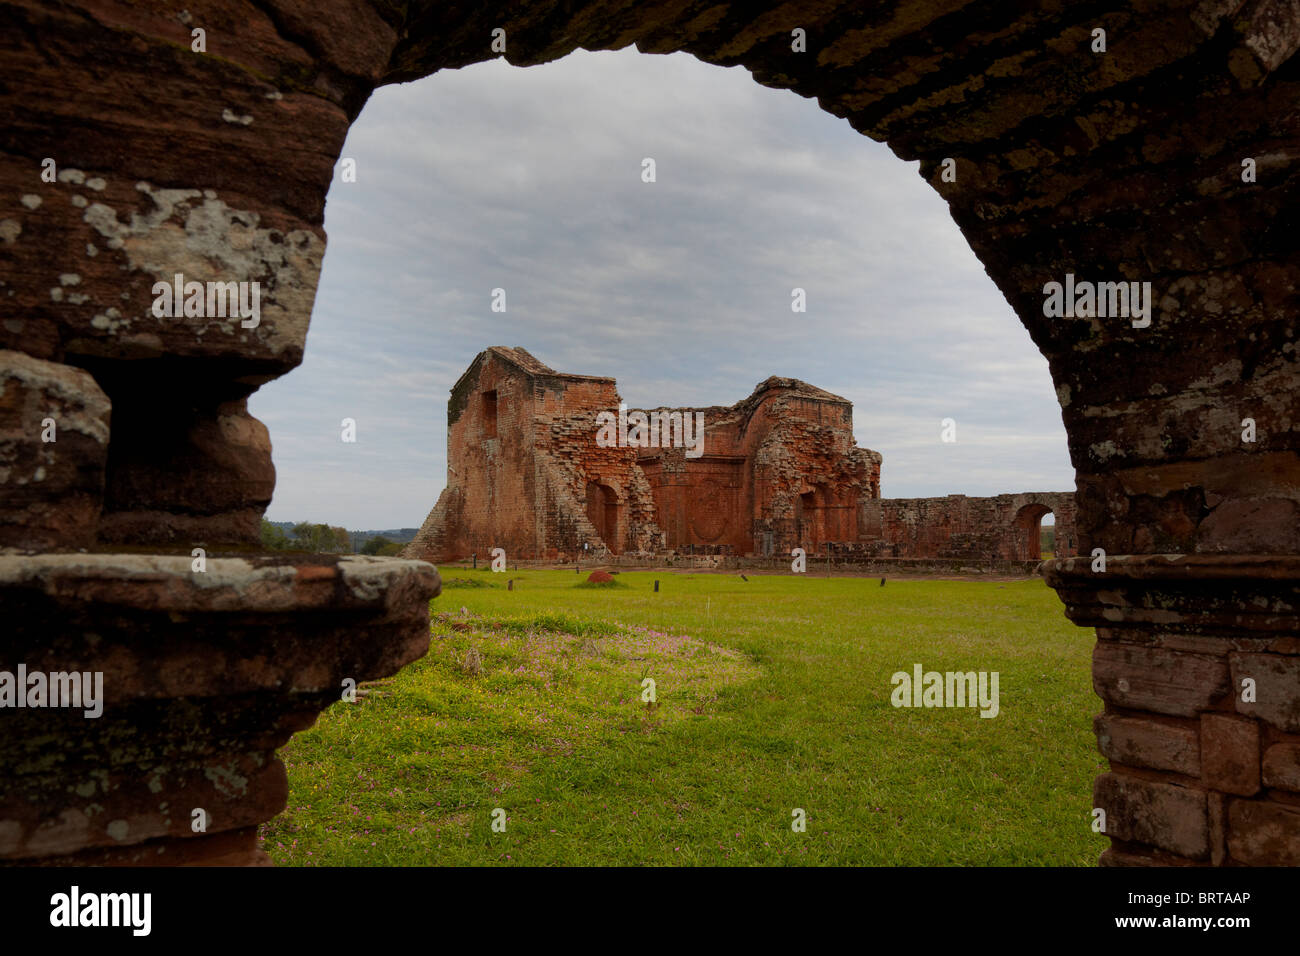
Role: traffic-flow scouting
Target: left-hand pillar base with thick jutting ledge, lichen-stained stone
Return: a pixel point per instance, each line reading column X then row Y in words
column 206, row 671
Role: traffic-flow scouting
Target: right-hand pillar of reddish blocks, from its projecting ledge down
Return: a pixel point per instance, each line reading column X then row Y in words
column 1198, row 664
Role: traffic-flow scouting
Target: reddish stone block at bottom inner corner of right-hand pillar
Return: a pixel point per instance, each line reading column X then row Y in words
column 1162, row 815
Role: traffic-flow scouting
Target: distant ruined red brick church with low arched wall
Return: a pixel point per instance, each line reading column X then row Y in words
column 527, row 473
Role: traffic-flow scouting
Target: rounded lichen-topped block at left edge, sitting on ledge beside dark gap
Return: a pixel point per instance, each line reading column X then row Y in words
column 51, row 492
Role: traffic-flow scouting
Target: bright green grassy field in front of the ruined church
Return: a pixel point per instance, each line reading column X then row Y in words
column 772, row 695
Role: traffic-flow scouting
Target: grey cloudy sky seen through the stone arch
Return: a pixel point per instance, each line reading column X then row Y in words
column 530, row 180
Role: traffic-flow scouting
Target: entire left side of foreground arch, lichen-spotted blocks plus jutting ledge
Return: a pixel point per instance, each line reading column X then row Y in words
column 136, row 158
